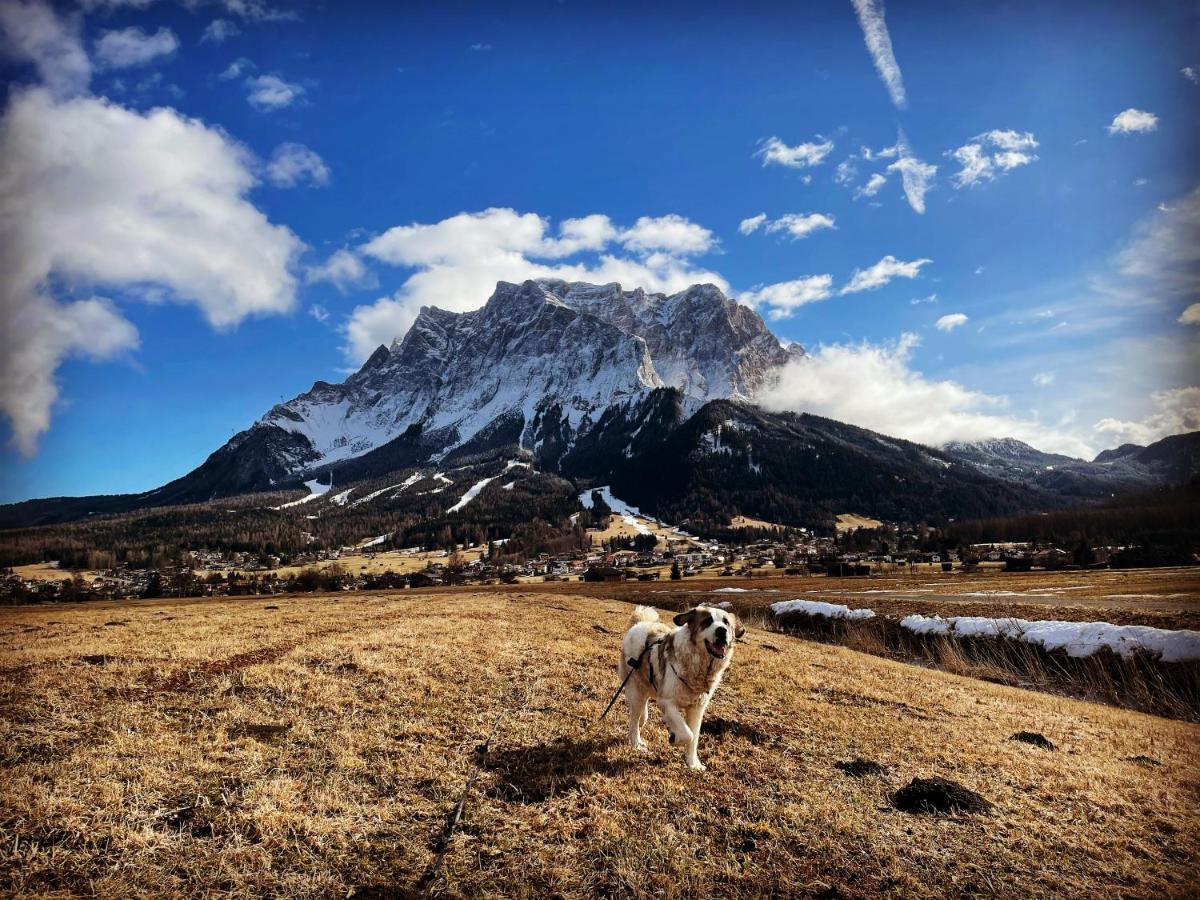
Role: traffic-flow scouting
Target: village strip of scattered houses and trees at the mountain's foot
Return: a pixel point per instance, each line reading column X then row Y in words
column 628, row 548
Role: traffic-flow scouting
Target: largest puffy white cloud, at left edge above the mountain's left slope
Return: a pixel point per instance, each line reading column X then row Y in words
column 100, row 196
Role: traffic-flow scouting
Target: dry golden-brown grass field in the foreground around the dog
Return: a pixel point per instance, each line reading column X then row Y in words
column 317, row 747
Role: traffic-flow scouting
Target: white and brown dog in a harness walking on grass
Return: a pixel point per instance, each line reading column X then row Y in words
column 681, row 671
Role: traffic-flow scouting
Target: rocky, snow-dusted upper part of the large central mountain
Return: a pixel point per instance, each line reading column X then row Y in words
column 537, row 368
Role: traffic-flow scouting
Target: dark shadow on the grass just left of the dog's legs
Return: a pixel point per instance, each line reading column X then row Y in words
column 535, row 775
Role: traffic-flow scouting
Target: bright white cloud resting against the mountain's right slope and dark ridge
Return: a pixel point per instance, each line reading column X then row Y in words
column 877, row 387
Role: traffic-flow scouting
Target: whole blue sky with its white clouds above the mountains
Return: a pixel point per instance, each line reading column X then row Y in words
column 1060, row 227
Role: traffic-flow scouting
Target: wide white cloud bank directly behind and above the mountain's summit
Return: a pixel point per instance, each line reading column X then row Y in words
column 458, row 262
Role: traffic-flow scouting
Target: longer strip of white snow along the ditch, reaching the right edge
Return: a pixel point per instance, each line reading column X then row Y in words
column 1078, row 639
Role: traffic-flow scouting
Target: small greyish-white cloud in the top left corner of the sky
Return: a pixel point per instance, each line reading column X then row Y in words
column 32, row 33
